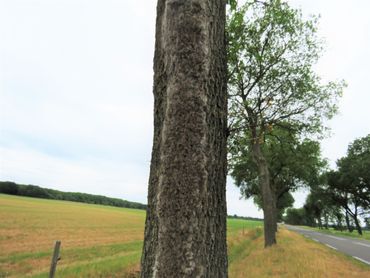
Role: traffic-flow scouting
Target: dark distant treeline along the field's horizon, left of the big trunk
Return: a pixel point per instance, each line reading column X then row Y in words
column 46, row 193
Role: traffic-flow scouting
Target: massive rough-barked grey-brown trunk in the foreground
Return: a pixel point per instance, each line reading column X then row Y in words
column 185, row 229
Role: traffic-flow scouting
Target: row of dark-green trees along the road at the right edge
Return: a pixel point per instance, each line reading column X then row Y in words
column 343, row 196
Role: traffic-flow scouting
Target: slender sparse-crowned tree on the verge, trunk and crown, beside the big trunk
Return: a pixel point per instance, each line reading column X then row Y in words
column 271, row 84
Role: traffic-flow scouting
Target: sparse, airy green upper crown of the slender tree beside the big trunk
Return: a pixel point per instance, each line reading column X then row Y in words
column 271, row 54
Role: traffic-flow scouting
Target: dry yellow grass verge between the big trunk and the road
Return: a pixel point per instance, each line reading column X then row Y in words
column 294, row 256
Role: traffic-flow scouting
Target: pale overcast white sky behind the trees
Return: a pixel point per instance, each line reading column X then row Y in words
column 76, row 96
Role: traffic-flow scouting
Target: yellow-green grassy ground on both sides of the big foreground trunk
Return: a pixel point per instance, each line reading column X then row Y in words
column 103, row 241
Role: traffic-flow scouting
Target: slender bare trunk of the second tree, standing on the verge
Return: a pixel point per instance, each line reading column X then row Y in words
column 268, row 202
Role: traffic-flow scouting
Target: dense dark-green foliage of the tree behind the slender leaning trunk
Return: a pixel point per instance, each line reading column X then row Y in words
column 293, row 163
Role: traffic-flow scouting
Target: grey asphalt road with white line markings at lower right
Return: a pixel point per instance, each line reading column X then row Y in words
column 357, row 248
